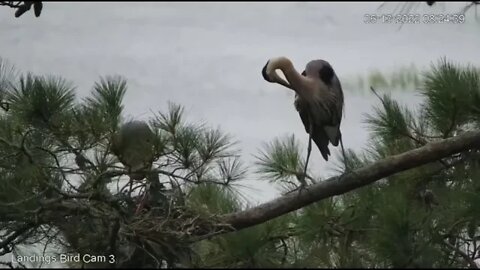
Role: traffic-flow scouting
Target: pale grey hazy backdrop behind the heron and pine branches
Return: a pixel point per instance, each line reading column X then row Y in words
column 208, row 57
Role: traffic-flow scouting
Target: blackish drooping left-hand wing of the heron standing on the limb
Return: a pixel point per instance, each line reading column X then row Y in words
column 319, row 135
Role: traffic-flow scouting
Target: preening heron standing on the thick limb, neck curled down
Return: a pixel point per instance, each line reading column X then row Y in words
column 319, row 100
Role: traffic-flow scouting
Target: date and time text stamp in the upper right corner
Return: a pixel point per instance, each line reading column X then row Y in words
column 414, row 18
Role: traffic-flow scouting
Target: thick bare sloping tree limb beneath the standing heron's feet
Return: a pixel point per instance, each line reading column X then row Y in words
column 355, row 179
